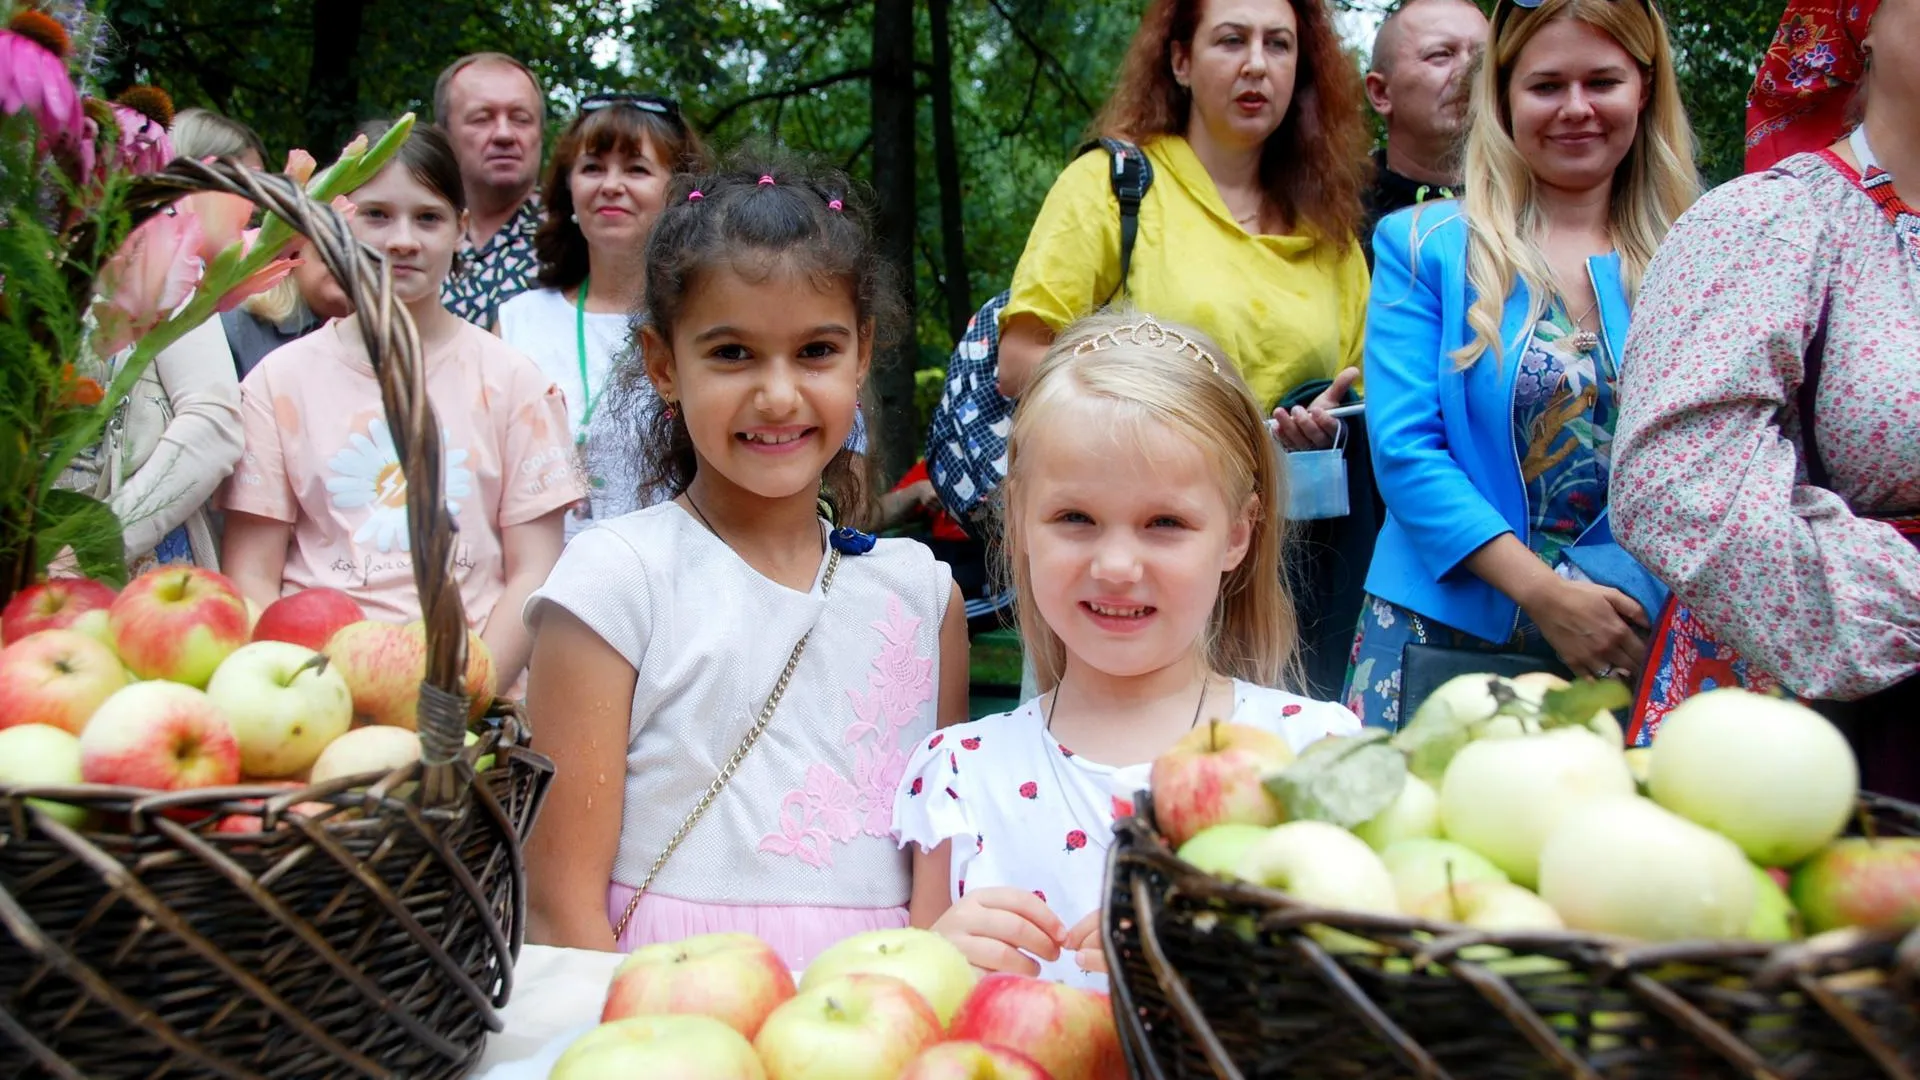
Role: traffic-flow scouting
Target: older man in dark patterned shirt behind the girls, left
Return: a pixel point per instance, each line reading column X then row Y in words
column 494, row 114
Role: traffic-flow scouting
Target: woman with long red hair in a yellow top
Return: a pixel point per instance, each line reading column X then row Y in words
column 1253, row 122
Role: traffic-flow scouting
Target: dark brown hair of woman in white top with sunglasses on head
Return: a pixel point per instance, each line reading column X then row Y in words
column 560, row 245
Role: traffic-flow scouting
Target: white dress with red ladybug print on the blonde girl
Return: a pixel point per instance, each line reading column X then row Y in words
column 1026, row 812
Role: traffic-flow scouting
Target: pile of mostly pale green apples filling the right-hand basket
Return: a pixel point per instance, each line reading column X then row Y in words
column 1512, row 806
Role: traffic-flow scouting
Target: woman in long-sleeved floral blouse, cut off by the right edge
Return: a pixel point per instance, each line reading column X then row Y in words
column 1783, row 293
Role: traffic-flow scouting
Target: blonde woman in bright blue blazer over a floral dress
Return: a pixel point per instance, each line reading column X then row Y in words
column 1495, row 337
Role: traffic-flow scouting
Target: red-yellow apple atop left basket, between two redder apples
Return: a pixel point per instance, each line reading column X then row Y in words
column 178, row 624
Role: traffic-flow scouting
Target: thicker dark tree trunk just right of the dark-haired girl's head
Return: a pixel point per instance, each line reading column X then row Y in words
column 892, row 103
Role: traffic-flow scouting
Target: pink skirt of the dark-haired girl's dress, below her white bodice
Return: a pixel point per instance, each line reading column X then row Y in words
column 796, row 933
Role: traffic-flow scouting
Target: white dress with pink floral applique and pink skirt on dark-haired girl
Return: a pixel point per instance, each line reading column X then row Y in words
column 798, row 848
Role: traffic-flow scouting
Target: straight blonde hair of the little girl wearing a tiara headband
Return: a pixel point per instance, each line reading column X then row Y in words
column 1172, row 376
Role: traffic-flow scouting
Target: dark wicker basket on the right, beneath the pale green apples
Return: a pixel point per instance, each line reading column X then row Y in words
column 1222, row 979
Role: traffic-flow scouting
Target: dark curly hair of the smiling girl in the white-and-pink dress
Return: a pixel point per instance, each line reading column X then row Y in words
column 807, row 220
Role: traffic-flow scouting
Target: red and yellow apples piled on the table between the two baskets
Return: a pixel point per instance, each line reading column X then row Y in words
column 880, row 1006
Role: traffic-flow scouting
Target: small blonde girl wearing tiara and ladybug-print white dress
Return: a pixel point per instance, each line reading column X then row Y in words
column 1143, row 537
